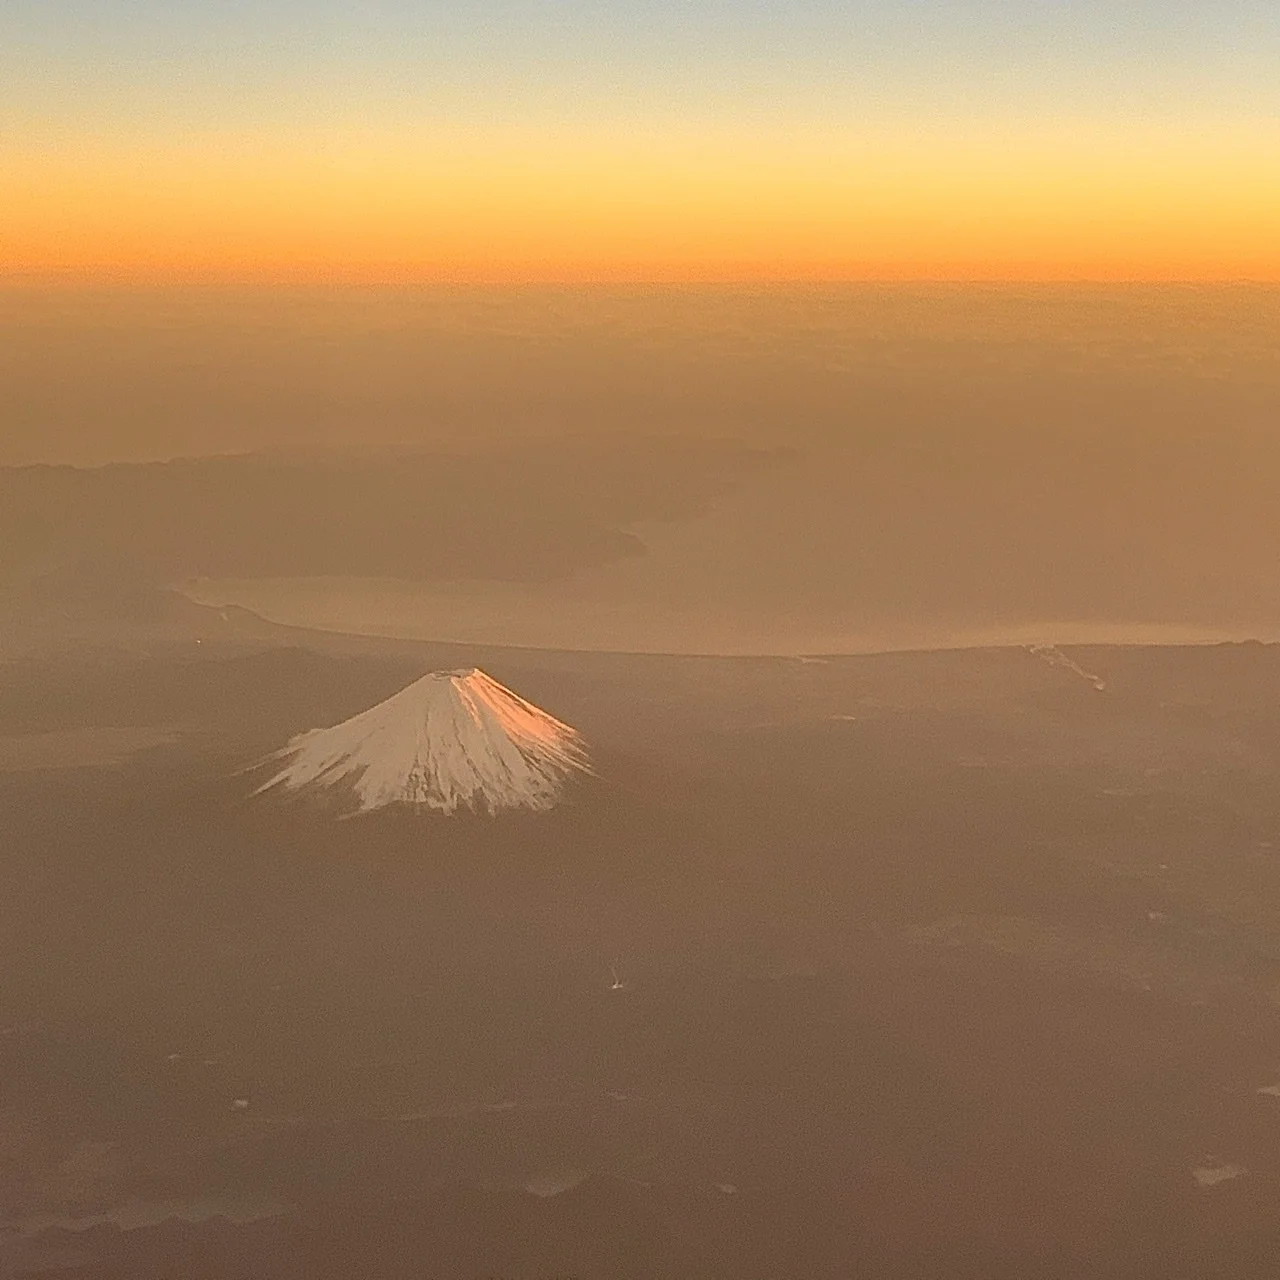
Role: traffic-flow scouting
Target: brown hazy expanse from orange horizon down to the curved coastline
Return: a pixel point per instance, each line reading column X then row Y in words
column 701, row 469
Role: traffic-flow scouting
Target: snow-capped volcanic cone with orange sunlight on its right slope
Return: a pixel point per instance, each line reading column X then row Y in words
column 454, row 739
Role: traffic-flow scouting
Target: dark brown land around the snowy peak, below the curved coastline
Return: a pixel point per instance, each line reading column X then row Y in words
column 934, row 966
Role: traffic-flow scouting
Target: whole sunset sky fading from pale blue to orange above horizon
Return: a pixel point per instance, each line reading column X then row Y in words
column 702, row 140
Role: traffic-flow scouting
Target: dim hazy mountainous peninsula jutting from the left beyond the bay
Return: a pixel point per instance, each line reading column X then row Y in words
column 531, row 513
